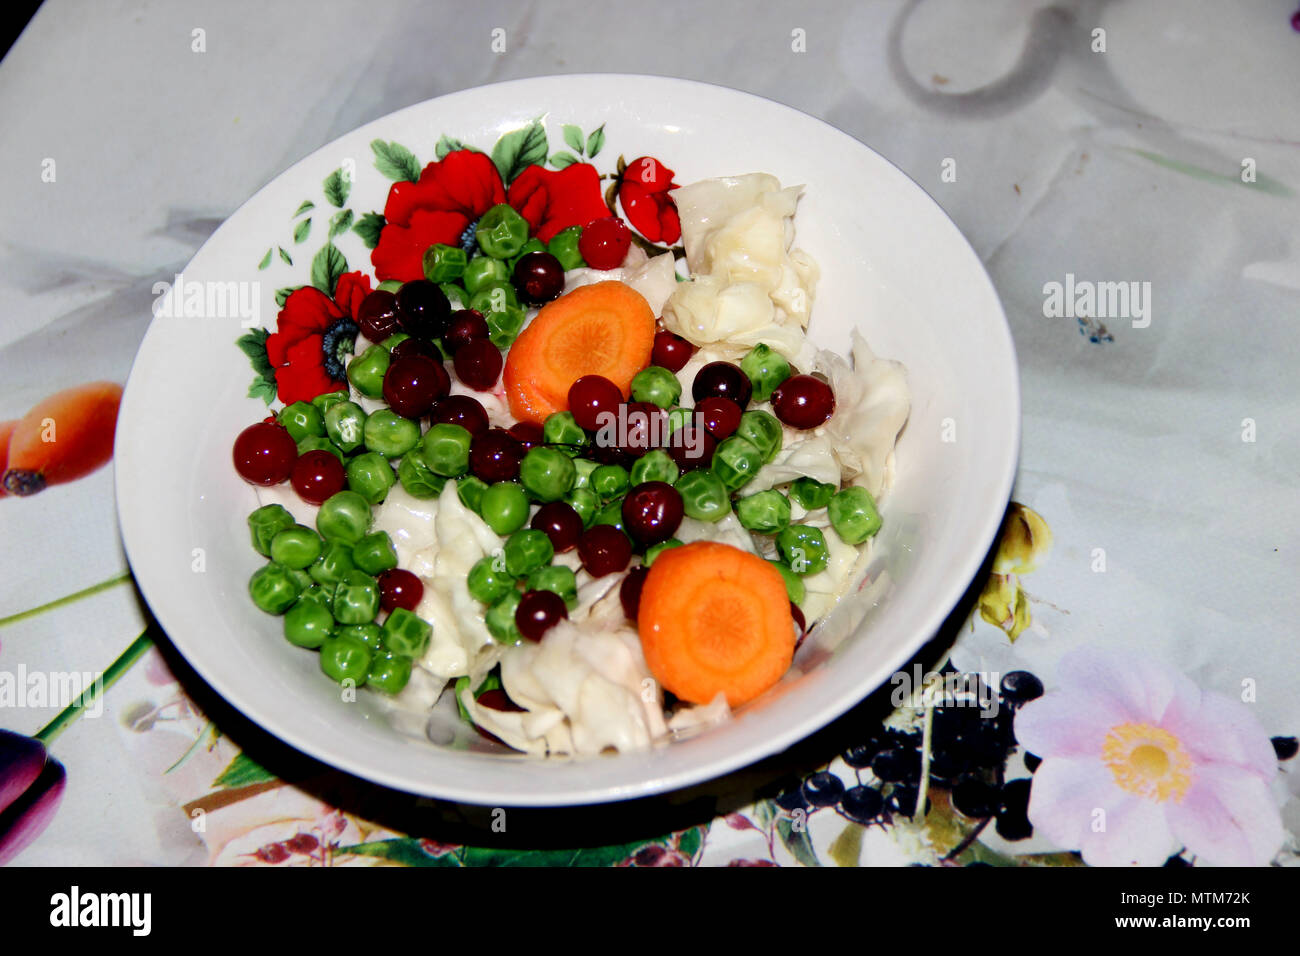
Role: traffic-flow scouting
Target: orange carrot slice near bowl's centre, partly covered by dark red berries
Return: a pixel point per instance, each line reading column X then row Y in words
column 606, row 328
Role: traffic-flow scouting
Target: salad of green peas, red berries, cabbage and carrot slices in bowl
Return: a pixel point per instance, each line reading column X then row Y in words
column 592, row 503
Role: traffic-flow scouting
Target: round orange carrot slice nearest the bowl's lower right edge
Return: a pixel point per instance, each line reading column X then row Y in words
column 716, row 618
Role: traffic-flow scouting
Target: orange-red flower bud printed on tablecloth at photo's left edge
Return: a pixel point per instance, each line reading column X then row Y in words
column 64, row 438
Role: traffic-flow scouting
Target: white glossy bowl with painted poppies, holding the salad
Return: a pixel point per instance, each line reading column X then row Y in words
column 892, row 265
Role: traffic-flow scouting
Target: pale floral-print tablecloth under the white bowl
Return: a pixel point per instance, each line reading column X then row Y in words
column 1129, row 175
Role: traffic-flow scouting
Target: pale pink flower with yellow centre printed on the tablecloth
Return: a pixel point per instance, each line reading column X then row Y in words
column 1139, row 762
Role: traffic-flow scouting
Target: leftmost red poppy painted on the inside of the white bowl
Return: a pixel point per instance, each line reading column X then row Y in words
column 310, row 332
